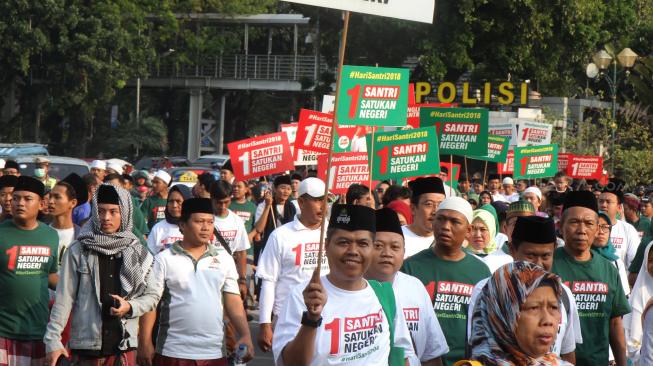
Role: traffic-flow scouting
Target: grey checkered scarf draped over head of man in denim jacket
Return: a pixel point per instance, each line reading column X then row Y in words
column 136, row 260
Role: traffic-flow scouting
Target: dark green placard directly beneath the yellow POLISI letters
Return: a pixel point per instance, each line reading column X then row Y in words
column 461, row 131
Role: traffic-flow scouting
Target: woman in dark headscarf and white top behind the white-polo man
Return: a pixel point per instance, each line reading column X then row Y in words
column 166, row 232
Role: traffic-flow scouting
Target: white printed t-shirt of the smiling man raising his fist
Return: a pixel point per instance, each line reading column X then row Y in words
column 354, row 328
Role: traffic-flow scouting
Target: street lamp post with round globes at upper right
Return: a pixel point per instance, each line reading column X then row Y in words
column 597, row 71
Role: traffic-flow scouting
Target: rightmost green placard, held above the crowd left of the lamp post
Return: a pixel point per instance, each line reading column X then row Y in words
column 536, row 161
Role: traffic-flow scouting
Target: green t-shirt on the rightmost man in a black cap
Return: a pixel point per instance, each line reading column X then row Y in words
column 599, row 298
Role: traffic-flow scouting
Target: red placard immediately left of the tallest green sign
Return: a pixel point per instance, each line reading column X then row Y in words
column 314, row 131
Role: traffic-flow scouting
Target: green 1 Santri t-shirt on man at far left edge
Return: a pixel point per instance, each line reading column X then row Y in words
column 27, row 257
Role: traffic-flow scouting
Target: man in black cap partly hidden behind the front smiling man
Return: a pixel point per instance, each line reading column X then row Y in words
column 429, row 342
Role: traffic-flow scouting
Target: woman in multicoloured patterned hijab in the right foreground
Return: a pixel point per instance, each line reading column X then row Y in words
column 517, row 316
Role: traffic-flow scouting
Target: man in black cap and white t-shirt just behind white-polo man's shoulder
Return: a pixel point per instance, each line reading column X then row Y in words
column 232, row 229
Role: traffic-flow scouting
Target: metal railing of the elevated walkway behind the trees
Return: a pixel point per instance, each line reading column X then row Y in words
column 242, row 67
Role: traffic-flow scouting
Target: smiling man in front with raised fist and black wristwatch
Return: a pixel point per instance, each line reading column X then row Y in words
column 339, row 319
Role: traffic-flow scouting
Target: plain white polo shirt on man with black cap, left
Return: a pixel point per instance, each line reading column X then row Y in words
column 193, row 327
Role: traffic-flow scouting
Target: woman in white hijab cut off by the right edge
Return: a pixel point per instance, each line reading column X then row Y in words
column 639, row 323
